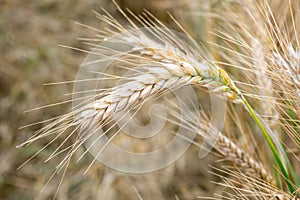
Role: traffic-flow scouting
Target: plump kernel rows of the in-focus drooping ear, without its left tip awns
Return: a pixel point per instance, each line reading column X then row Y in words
column 171, row 63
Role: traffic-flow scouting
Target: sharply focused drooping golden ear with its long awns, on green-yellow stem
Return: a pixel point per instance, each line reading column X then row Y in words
column 170, row 63
